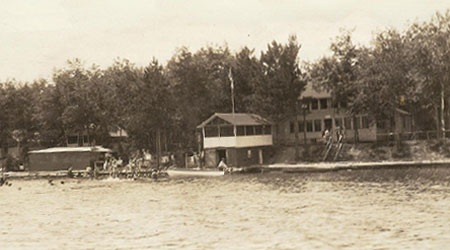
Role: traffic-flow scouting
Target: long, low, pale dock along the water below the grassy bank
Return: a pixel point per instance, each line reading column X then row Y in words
column 335, row 166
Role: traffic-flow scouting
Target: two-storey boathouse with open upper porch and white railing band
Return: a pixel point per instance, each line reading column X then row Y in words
column 241, row 139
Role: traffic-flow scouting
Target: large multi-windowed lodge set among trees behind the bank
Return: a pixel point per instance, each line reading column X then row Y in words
column 321, row 113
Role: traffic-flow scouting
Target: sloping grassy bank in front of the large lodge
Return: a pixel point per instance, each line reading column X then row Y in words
column 408, row 150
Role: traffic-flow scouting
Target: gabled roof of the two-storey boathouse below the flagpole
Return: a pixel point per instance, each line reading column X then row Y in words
column 238, row 119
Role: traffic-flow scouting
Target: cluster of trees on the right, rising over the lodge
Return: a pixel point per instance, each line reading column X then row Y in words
column 407, row 70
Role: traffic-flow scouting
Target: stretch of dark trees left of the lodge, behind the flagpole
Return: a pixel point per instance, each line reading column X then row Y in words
column 156, row 100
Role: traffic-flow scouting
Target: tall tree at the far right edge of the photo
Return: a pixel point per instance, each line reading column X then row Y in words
column 429, row 46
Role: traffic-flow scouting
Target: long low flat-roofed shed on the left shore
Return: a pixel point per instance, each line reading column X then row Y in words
column 62, row 158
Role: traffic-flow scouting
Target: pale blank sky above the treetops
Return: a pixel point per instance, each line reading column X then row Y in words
column 39, row 36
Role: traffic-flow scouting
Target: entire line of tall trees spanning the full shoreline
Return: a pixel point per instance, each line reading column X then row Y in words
column 407, row 70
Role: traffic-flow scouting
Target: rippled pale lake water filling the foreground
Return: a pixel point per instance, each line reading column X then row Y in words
column 406, row 208
